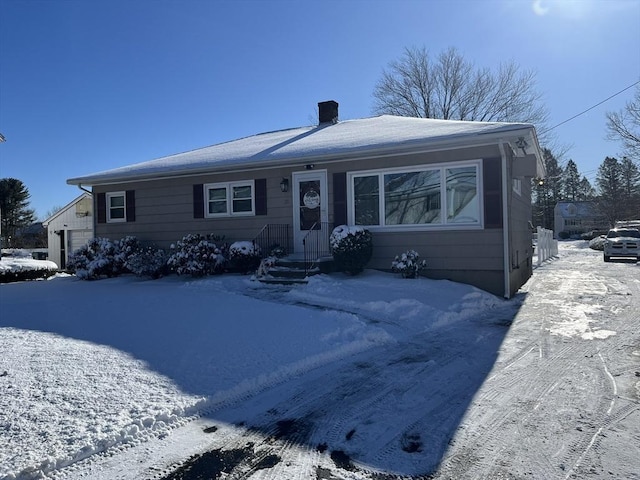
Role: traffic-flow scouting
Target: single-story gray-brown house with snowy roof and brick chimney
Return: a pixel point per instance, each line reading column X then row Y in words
column 457, row 192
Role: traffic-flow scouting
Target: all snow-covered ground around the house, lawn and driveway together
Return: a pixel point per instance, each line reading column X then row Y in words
column 366, row 377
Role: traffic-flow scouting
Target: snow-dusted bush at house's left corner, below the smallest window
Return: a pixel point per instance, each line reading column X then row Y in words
column 99, row 257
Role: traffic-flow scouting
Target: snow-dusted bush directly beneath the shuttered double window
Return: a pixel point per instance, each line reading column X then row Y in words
column 196, row 255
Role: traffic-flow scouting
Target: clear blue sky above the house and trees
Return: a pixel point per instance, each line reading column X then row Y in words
column 87, row 86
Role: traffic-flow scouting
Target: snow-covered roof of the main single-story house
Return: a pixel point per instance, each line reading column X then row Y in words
column 342, row 140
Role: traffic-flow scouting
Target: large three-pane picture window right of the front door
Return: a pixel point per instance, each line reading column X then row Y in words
column 420, row 196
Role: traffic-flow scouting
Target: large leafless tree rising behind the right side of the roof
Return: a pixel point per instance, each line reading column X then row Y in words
column 450, row 87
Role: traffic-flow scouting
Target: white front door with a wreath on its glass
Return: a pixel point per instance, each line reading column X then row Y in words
column 310, row 205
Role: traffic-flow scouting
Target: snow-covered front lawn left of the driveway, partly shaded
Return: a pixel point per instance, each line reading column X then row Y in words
column 89, row 365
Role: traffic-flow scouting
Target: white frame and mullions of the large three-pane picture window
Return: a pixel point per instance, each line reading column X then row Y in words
column 443, row 224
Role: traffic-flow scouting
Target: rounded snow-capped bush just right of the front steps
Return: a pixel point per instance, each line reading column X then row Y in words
column 352, row 248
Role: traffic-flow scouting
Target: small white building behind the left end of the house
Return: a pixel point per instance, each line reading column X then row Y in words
column 69, row 228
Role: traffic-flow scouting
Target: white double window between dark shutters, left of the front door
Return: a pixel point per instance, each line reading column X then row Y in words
column 227, row 199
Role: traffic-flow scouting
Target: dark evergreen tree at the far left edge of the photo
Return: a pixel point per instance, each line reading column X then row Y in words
column 14, row 209
